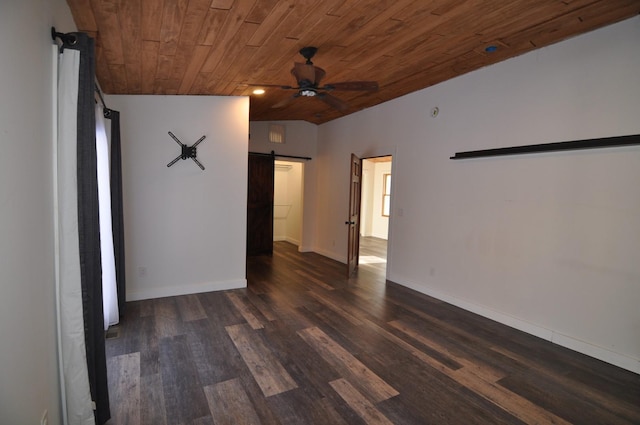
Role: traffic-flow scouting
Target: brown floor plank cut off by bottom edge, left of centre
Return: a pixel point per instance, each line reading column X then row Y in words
column 230, row 405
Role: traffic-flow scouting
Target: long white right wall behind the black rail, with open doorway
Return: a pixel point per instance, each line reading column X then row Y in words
column 546, row 243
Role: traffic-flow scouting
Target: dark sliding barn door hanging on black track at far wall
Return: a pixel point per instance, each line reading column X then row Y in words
column 260, row 205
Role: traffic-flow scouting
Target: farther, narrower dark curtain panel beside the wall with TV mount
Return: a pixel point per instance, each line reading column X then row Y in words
column 117, row 216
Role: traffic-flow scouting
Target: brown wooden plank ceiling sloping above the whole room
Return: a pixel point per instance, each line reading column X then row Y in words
column 224, row 47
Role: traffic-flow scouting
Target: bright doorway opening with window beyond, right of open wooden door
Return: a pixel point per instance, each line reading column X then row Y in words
column 375, row 211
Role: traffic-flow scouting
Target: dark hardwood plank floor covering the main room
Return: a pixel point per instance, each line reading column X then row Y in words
column 304, row 345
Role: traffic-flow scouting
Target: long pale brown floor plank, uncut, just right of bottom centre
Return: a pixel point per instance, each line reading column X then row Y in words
column 347, row 365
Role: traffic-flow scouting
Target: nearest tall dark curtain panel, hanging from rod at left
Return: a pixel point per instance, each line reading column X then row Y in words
column 89, row 230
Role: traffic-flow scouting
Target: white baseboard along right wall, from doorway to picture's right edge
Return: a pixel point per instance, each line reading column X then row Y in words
column 617, row 359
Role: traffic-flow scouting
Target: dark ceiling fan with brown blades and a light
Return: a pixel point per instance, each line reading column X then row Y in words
column 308, row 76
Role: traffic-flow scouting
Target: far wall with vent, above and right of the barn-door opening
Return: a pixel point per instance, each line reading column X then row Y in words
column 301, row 138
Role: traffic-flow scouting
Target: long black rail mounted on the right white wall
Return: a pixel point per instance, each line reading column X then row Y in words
column 605, row 142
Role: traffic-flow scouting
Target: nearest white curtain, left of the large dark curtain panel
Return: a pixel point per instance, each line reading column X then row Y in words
column 77, row 404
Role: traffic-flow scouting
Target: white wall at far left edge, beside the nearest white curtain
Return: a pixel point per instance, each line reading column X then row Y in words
column 28, row 360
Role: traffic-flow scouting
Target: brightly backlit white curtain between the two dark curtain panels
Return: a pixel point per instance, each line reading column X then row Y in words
column 109, row 287
